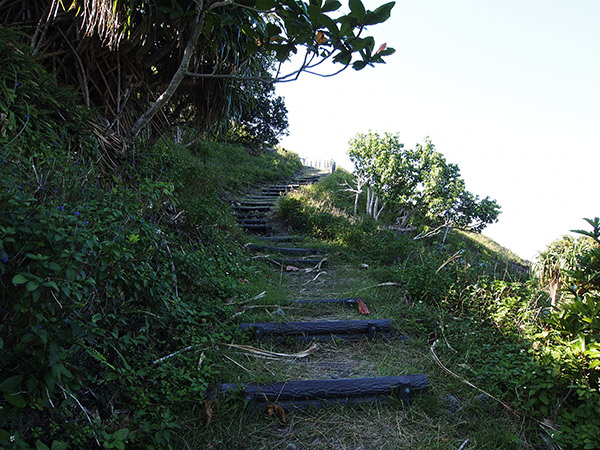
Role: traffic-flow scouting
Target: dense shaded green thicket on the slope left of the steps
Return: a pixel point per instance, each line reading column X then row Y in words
column 117, row 270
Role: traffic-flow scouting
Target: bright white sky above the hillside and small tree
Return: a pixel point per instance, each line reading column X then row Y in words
column 509, row 91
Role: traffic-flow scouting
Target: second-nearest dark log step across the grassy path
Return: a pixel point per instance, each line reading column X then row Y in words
column 320, row 330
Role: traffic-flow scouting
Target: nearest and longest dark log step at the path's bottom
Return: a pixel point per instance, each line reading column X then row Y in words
column 302, row 394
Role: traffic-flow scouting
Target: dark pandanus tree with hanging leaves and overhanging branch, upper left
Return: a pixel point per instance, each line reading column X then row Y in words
column 144, row 63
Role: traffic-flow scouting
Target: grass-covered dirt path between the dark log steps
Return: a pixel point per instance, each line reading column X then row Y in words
column 449, row 415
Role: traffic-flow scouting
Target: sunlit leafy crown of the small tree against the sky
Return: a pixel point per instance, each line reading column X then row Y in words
column 425, row 191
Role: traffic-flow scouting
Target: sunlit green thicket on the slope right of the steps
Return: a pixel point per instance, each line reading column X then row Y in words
column 543, row 361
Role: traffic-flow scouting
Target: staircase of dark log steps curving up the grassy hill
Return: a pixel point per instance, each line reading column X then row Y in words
column 255, row 215
